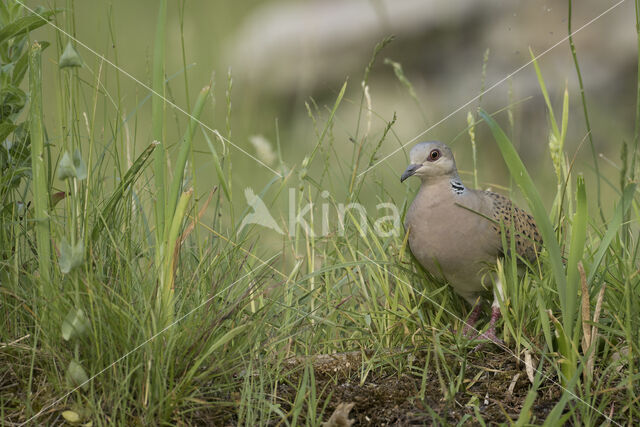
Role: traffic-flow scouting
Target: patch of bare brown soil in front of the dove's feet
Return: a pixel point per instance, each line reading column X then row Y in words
column 494, row 385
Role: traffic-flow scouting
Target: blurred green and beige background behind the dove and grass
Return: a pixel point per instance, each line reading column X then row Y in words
column 287, row 58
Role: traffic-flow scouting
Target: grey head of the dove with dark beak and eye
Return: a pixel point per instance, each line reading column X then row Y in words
column 430, row 159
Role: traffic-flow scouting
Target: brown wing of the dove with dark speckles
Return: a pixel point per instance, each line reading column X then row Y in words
column 528, row 239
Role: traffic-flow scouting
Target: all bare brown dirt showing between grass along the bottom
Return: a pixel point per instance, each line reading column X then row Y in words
column 493, row 386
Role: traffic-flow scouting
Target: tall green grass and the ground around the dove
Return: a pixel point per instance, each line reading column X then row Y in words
column 140, row 300
